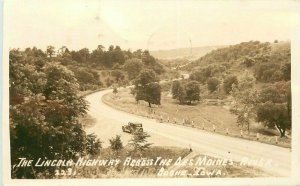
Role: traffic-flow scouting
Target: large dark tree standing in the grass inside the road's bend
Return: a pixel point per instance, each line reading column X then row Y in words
column 147, row 88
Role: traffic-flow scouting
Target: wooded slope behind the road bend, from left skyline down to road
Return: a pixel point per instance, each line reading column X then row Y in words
column 120, row 66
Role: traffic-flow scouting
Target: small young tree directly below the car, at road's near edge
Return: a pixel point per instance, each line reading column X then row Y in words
column 139, row 142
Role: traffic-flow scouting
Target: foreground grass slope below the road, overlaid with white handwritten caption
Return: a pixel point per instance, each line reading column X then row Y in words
column 131, row 167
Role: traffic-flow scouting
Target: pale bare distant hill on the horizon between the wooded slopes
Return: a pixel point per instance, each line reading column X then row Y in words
column 186, row 53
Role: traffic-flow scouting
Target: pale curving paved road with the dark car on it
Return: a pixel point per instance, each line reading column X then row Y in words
column 109, row 122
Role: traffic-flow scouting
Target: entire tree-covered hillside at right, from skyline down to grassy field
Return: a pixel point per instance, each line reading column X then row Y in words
column 254, row 78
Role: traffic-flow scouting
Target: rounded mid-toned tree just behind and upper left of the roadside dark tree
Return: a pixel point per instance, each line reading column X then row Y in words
column 133, row 67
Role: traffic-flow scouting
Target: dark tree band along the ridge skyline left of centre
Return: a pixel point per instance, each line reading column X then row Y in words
column 112, row 58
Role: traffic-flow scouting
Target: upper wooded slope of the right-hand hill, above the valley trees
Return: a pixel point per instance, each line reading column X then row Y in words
column 267, row 62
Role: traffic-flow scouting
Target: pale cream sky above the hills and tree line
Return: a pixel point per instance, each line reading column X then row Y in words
column 153, row 25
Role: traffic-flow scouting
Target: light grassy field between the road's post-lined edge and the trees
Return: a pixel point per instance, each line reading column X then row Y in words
column 203, row 116
